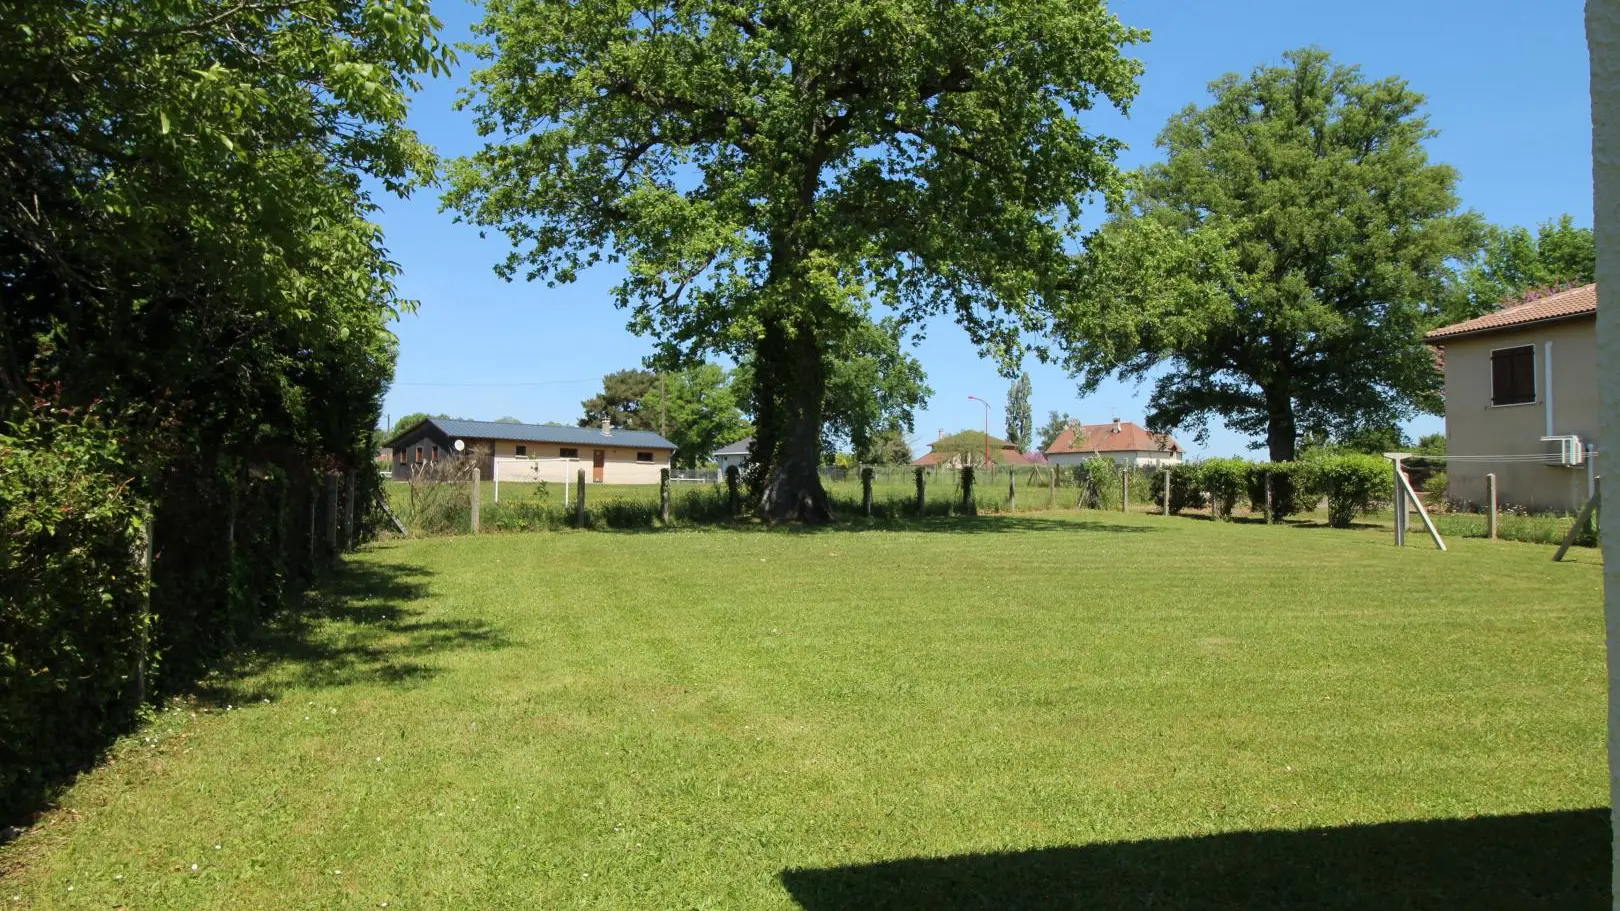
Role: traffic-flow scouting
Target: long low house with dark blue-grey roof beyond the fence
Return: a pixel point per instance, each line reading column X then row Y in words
column 548, row 451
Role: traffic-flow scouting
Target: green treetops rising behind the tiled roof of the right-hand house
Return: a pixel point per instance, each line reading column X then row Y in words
column 1512, row 262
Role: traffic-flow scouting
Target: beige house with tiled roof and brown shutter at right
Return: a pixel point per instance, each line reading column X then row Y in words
column 1522, row 401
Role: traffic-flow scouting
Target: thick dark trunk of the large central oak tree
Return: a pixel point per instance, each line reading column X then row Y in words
column 790, row 393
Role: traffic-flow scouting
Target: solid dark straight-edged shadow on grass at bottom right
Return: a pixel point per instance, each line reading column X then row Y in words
column 1553, row 862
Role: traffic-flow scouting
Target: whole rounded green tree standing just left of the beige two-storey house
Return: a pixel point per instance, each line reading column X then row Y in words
column 1282, row 262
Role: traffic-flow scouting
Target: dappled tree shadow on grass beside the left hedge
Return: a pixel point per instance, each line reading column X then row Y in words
column 364, row 625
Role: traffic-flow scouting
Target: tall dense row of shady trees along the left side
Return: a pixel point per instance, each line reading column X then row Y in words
column 185, row 254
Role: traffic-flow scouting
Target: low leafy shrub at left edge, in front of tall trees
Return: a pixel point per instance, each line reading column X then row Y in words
column 72, row 599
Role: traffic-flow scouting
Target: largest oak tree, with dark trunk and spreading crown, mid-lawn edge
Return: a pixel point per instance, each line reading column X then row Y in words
column 767, row 171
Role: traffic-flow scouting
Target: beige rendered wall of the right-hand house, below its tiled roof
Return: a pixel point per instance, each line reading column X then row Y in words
column 1475, row 427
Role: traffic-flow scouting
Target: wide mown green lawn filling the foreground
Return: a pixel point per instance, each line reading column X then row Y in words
column 1067, row 711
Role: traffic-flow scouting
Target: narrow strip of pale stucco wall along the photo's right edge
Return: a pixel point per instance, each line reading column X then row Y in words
column 1603, row 36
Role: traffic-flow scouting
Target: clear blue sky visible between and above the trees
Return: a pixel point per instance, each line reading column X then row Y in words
column 1507, row 87
